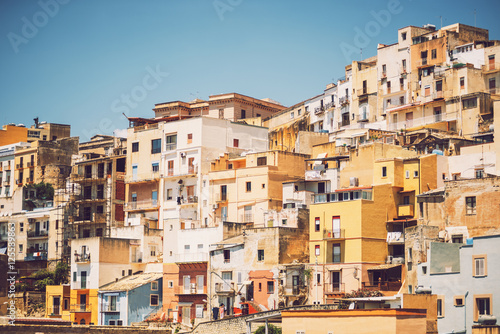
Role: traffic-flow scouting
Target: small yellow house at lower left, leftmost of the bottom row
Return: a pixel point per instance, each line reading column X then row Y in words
column 57, row 301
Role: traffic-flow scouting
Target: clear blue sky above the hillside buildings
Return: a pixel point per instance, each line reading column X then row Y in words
column 85, row 62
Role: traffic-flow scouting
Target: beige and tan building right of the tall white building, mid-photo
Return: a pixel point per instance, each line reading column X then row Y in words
column 244, row 188
